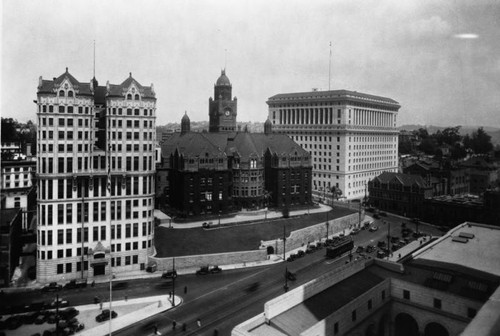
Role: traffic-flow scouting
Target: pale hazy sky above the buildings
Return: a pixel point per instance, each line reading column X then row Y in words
column 439, row 59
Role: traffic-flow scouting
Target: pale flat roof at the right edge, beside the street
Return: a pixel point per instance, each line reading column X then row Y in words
column 475, row 253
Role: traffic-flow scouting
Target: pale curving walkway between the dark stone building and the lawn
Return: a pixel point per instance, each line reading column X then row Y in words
column 249, row 216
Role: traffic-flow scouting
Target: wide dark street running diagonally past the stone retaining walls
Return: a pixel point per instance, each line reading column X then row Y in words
column 220, row 301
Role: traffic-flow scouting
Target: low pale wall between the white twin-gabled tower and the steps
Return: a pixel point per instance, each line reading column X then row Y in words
column 196, row 261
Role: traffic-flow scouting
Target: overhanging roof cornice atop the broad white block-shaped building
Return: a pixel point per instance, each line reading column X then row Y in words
column 333, row 94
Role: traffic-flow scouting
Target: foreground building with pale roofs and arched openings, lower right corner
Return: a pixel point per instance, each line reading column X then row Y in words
column 440, row 286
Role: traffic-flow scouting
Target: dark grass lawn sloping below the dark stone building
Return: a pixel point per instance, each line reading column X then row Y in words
column 243, row 237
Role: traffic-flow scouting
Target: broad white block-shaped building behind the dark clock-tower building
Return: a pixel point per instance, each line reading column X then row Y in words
column 351, row 136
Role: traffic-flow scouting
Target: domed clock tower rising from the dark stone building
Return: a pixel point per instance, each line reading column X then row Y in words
column 222, row 108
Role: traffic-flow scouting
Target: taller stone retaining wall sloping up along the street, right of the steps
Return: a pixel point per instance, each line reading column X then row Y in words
column 312, row 233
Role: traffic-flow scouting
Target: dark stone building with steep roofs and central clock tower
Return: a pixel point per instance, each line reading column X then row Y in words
column 225, row 170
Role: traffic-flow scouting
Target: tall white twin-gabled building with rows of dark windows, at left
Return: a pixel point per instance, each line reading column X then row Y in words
column 95, row 177
